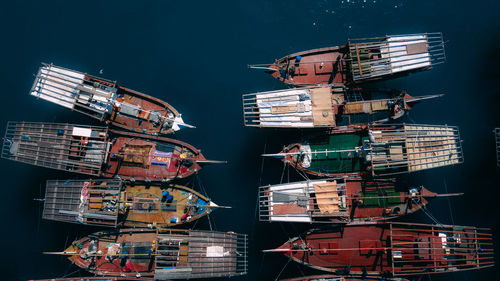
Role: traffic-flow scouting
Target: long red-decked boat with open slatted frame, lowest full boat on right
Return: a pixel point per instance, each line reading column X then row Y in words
column 392, row 249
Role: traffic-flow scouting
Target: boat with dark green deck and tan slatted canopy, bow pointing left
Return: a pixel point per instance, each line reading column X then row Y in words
column 376, row 150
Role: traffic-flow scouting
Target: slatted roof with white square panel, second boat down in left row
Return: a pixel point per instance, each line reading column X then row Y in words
column 76, row 148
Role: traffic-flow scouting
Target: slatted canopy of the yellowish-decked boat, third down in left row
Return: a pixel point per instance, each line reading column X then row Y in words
column 83, row 201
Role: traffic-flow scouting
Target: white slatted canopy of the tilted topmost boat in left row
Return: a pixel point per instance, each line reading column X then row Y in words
column 75, row 90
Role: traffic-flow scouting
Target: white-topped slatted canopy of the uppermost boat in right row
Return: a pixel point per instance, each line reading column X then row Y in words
column 394, row 54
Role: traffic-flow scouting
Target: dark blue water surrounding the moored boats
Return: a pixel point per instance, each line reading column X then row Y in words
column 194, row 56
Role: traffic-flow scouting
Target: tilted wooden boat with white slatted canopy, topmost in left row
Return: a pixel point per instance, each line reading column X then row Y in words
column 106, row 101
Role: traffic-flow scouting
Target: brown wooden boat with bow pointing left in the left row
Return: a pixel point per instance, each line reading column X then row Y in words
column 162, row 254
